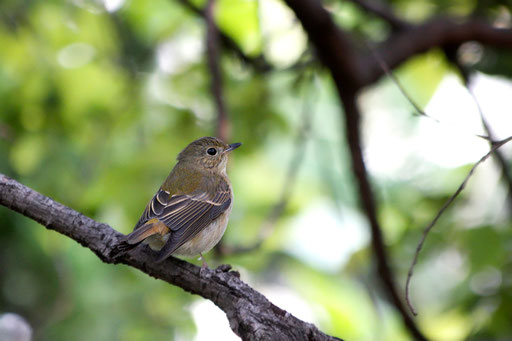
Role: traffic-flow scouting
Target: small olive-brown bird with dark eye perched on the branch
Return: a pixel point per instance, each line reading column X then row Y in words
column 189, row 213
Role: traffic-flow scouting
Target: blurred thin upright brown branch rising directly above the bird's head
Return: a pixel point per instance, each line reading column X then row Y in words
column 212, row 56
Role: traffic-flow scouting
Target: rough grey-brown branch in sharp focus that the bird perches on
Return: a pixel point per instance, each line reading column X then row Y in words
column 251, row 316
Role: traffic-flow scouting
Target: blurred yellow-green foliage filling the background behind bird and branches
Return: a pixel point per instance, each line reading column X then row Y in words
column 95, row 104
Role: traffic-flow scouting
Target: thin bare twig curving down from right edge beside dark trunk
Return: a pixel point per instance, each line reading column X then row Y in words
column 496, row 146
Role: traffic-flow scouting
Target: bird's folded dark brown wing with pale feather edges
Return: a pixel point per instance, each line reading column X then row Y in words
column 185, row 214
